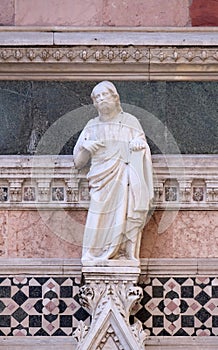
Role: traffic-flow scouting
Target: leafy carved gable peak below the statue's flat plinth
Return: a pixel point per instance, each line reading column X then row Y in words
column 110, row 304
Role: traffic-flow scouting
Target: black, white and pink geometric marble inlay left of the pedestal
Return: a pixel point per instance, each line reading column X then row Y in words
column 43, row 306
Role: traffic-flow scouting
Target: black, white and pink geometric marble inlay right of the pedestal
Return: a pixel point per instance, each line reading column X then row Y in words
column 179, row 306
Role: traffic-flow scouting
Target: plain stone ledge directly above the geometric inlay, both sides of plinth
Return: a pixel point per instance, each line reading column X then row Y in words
column 151, row 267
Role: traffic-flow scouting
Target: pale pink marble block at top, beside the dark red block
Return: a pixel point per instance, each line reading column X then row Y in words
column 146, row 13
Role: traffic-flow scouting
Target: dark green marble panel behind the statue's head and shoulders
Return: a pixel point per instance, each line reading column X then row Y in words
column 47, row 116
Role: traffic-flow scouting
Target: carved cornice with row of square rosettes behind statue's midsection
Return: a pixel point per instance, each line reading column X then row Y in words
column 33, row 182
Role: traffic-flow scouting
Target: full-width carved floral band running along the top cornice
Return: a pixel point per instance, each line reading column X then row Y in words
column 108, row 54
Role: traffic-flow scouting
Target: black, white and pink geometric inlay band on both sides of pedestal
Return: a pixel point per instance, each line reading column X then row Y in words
column 48, row 306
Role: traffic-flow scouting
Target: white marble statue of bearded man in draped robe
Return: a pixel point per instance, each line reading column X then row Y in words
column 120, row 178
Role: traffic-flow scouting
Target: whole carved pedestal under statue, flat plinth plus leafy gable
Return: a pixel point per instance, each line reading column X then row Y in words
column 110, row 291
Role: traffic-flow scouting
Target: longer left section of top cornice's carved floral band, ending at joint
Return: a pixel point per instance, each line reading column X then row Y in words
column 76, row 54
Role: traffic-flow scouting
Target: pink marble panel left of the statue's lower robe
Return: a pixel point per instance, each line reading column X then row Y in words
column 45, row 234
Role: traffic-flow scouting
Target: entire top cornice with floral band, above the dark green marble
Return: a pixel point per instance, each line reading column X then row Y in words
column 125, row 54
